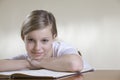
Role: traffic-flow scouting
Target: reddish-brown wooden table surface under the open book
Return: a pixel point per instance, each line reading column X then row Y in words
column 96, row 75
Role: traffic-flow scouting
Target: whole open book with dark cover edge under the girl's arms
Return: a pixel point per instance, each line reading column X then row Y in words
column 42, row 73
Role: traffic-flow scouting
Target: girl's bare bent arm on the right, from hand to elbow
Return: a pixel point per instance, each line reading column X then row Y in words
column 63, row 63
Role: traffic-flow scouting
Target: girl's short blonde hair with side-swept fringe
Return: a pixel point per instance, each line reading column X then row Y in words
column 38, row 19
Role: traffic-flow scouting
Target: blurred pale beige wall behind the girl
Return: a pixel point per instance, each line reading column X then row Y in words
column 92, row 26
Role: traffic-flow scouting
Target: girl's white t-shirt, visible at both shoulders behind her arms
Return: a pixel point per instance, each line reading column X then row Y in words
column 59, row 48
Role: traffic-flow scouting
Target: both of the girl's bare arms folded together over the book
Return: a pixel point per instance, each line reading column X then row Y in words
column 63, row 63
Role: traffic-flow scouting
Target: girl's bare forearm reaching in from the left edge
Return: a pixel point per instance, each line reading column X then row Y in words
column 9, row 65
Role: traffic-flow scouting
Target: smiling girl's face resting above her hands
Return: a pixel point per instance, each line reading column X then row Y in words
column 39, row 43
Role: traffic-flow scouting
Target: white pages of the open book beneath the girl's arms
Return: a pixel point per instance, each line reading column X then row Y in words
column 41, row 72
